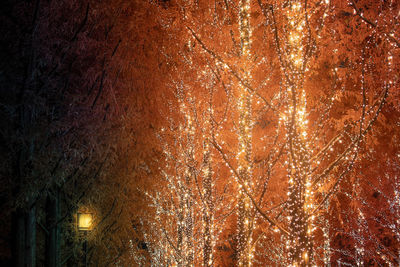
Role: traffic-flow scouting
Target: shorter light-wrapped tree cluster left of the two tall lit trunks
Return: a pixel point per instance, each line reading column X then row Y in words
column 184, row 201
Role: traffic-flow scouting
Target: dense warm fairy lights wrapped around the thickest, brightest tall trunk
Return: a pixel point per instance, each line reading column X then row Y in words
column 300, row 192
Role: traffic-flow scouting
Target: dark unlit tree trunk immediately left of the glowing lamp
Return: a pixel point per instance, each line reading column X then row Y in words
column 53, row 237
